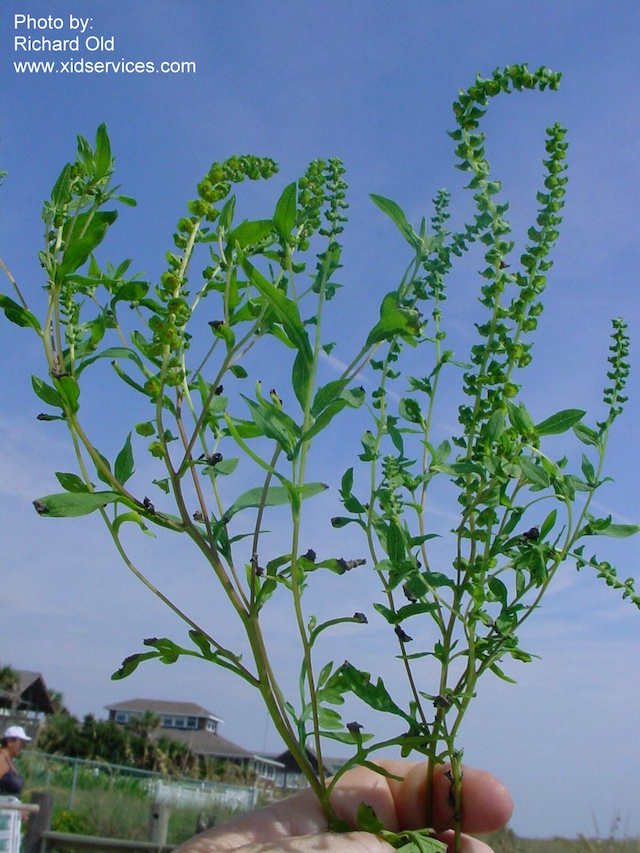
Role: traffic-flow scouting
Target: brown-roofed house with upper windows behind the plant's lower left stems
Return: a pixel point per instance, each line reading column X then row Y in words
column 196, row 727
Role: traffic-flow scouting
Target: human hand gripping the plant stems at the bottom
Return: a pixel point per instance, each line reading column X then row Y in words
column 298, row 824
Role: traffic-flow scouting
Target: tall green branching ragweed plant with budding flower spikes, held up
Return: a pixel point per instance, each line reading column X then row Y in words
column 183, row 353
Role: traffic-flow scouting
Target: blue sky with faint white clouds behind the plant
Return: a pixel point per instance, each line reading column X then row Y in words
column 372, row 83
